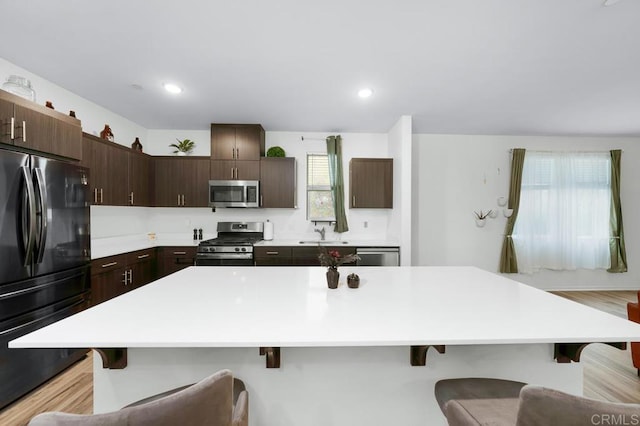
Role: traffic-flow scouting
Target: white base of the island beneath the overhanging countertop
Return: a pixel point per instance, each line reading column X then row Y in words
column 321, row 386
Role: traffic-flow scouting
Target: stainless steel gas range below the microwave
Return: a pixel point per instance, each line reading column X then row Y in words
column 233, row 247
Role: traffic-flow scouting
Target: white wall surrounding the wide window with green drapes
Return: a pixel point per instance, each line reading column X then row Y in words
column 455, row 175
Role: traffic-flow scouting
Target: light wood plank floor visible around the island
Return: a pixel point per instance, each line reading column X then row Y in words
column 608, row 372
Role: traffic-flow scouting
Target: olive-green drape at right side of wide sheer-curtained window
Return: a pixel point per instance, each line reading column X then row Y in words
column 616, row 241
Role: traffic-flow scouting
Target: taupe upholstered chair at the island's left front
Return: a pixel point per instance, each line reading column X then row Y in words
column 212, row 402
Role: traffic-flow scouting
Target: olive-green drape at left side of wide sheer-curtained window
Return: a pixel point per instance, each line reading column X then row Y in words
column 508, row 260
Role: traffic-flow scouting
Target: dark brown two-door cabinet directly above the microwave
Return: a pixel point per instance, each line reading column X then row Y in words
column 237, row 141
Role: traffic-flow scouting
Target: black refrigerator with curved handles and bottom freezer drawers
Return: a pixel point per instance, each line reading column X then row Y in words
column 44, row 262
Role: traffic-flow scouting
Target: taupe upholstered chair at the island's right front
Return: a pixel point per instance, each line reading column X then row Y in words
column 508, row 403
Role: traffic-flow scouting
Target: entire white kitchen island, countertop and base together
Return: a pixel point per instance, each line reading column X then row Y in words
column 340, row 357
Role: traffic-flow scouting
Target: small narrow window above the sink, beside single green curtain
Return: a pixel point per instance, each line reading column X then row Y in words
column 319, row 195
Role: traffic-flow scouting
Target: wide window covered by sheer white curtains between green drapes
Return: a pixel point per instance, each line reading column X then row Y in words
column 563, row 217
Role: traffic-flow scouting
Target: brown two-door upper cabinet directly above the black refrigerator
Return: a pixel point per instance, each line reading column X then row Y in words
column 28, row 125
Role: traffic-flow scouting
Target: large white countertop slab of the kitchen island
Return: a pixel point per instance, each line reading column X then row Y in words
column 292, row 307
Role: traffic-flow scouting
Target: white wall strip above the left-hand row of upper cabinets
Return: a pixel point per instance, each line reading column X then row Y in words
column 92, row 116
